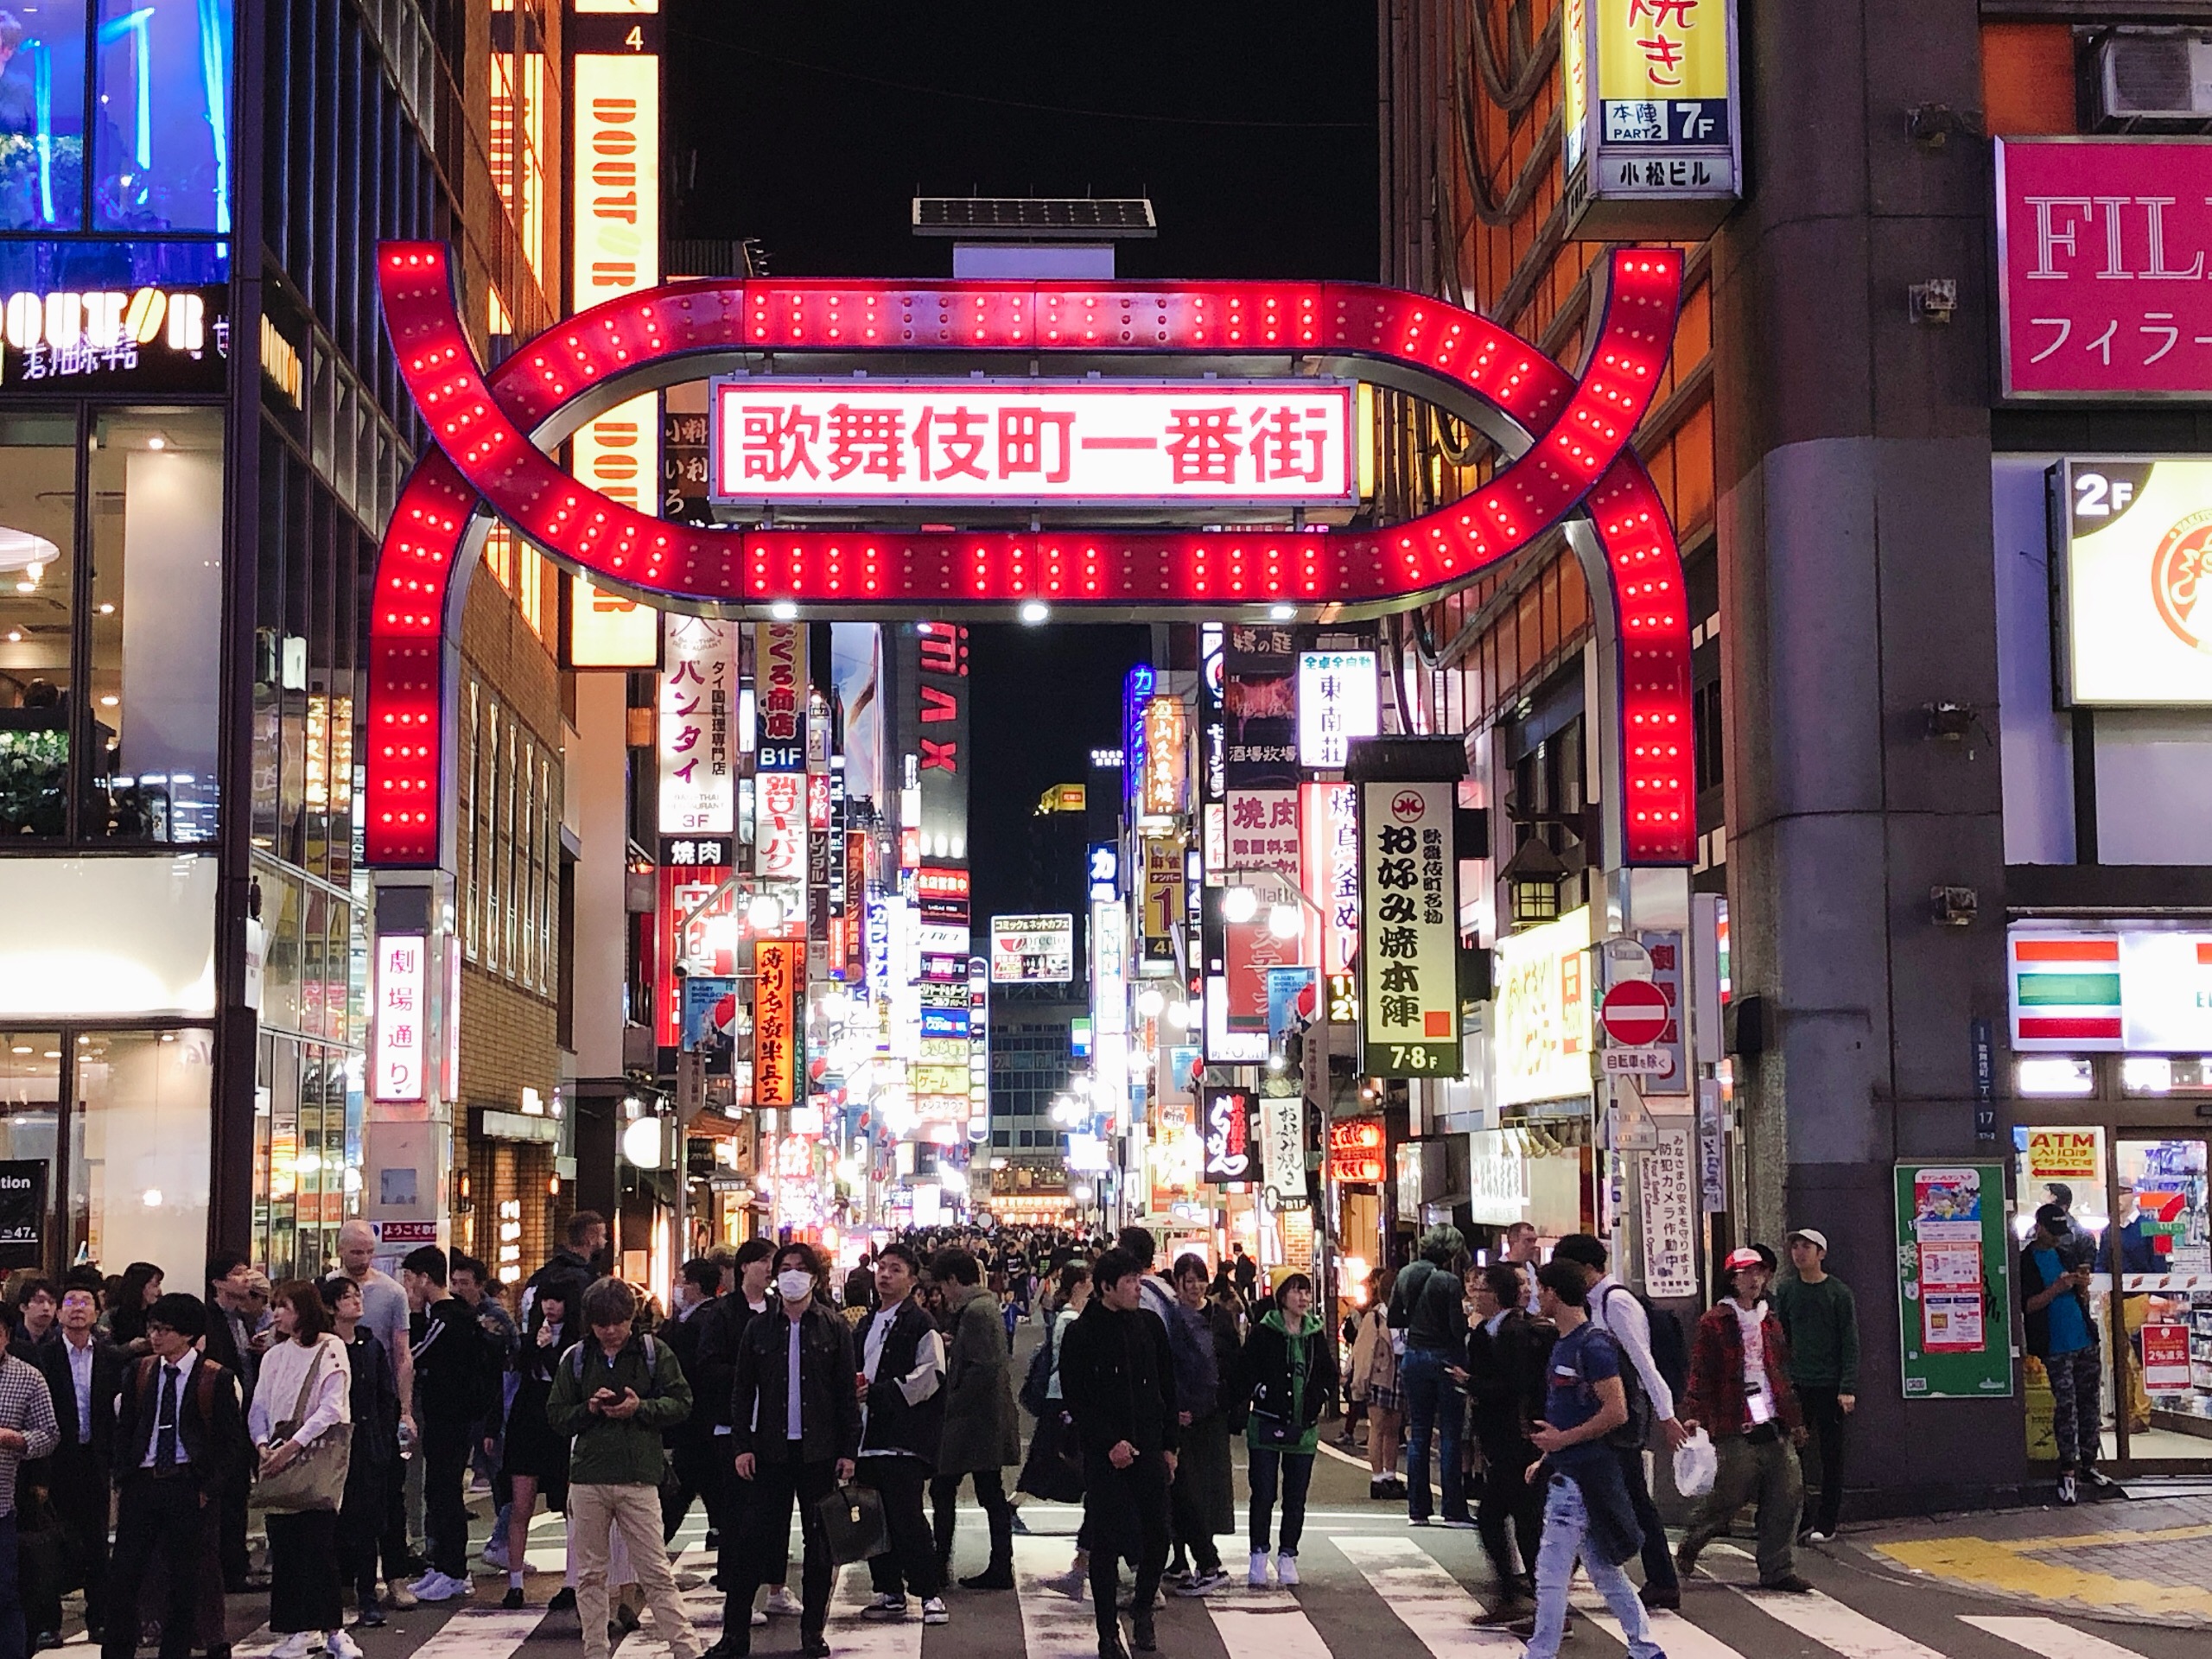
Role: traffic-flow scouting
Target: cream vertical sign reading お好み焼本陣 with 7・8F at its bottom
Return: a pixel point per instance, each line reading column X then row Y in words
column 1410, row 974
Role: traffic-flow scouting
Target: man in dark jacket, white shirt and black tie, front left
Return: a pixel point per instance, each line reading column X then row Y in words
column 180, row 1439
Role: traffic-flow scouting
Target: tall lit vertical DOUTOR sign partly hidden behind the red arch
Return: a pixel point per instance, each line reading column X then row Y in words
column 616, row 187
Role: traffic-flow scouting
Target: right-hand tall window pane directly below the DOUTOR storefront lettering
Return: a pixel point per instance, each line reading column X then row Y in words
column 158, row 607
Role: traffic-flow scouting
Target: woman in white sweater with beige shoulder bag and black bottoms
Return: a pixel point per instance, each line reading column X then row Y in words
column 302, row 1470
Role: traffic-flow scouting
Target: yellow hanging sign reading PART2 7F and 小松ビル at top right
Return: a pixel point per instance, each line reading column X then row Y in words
column 1649, row 90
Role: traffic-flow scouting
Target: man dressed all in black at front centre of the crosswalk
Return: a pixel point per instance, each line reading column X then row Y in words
column 1118, row 1379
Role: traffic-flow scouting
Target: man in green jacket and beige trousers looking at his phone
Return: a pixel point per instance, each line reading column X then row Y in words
column 616, row 1392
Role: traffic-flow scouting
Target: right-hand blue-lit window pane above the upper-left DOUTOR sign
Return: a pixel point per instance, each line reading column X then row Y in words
column 163, row 143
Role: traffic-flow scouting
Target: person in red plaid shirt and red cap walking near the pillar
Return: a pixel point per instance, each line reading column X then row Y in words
column 1740, row 1392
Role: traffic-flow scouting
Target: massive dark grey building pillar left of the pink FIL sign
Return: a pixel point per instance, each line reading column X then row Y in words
column 1857, row 585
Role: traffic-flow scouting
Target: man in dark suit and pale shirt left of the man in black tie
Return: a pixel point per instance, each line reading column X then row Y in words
column 83, row 1375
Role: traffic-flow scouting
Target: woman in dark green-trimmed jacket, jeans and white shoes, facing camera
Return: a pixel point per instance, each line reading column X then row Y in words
column 1291, row 1373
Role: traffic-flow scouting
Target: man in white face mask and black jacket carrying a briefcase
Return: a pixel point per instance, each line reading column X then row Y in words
column 795, row 1423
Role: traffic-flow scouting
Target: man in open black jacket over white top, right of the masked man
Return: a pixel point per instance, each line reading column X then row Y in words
column 904, row 1417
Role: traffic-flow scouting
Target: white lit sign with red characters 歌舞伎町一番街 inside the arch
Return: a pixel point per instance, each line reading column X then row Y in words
column 1056, row 444
